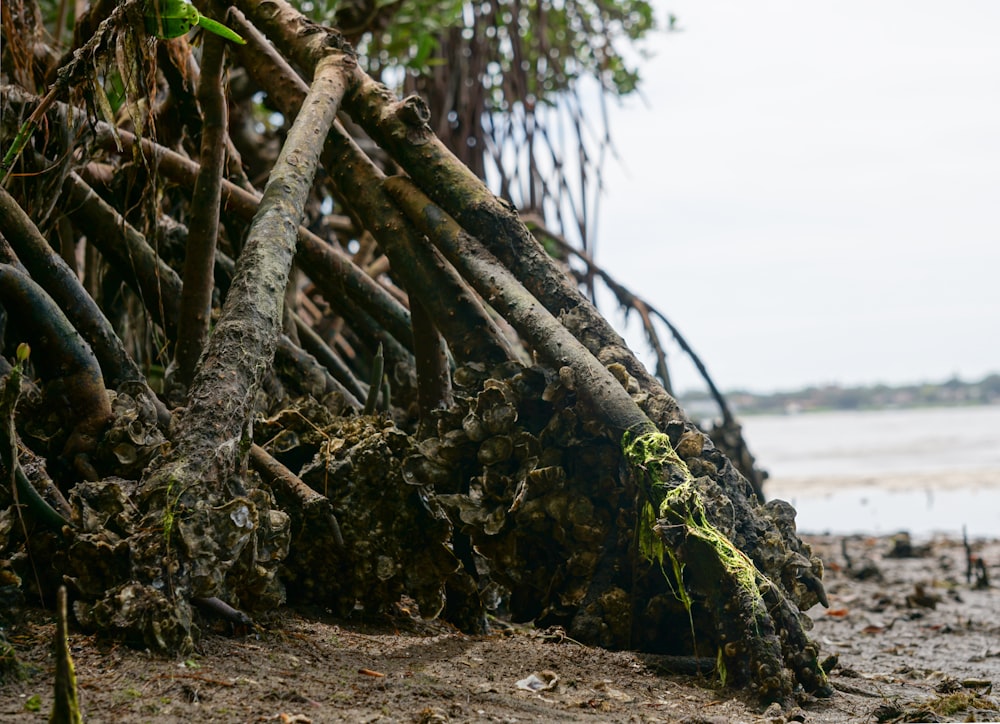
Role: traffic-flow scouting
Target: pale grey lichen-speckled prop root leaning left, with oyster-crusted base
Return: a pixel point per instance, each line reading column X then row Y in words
column 199, row 517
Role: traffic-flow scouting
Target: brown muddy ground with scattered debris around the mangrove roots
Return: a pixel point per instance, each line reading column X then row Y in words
column 914, row 641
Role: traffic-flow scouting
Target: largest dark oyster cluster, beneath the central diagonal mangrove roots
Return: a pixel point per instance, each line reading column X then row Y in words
column 532, row 486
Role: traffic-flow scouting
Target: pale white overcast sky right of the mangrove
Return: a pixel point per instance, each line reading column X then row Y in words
column 810, row 191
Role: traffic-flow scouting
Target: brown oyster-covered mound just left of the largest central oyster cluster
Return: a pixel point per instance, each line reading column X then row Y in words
column 392, row 537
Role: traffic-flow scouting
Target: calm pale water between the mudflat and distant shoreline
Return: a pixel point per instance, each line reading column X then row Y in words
column 927, row 471
